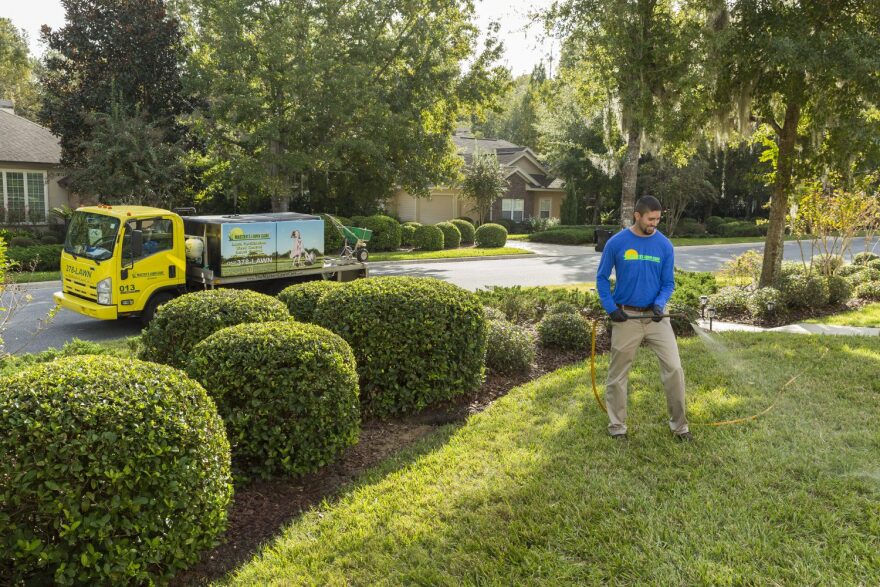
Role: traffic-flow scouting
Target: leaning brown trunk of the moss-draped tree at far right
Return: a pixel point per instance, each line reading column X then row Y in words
column 773, row 247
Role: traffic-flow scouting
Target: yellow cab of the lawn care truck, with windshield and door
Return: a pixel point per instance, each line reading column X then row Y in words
column 121, row 261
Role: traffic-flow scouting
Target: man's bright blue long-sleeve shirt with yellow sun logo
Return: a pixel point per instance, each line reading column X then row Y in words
column 643, row 267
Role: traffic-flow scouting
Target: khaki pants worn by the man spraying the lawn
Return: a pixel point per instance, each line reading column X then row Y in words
column 625, row 340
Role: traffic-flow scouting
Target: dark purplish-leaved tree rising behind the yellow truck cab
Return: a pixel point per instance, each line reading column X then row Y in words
column 123, row 50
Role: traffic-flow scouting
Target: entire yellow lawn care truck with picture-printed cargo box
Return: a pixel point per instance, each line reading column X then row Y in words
column 126, row 261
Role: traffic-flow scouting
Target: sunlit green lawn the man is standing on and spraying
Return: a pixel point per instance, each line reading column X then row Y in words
column 533, row 492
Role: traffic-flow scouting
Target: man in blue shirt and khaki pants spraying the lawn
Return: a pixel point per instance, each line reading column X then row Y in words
column 642, row 259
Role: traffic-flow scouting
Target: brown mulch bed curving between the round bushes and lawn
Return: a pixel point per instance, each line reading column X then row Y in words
column 262, row 509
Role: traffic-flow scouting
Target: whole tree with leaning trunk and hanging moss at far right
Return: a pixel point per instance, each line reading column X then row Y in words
column 795, row 67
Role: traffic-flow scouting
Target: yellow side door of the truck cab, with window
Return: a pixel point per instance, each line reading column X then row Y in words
column 157, row 268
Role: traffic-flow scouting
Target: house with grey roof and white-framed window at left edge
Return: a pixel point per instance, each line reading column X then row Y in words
column 30, row 158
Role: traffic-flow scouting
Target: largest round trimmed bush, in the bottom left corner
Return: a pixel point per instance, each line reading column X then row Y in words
column 114, row 472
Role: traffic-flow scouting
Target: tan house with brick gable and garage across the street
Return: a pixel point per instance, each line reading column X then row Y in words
column 532, row 192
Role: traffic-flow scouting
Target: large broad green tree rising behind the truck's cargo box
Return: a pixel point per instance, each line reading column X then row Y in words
column 332, row 104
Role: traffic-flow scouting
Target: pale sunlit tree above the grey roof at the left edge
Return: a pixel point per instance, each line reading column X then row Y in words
column 18, row 69
